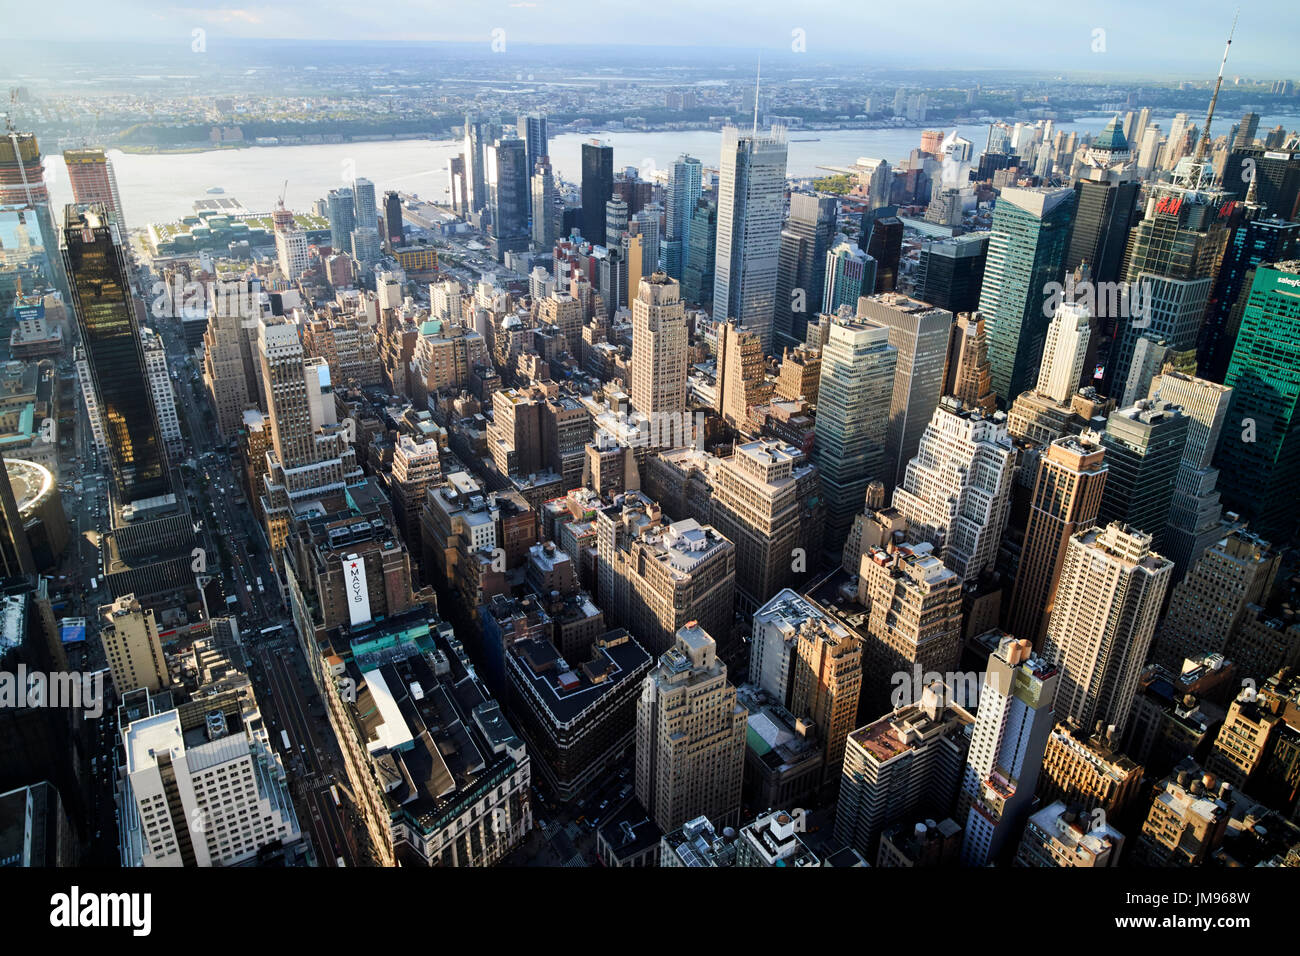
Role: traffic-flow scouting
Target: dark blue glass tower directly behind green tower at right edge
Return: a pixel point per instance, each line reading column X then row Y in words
column 1259, row 239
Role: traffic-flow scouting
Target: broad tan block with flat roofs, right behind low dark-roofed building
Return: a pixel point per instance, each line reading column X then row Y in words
column 656, row 577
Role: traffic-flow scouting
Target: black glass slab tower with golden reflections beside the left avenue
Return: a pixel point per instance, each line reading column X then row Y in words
column 110, row 332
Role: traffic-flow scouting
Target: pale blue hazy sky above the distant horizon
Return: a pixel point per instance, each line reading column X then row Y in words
column 1098, row 37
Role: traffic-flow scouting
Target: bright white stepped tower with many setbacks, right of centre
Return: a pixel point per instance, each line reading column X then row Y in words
column 956, row 494
